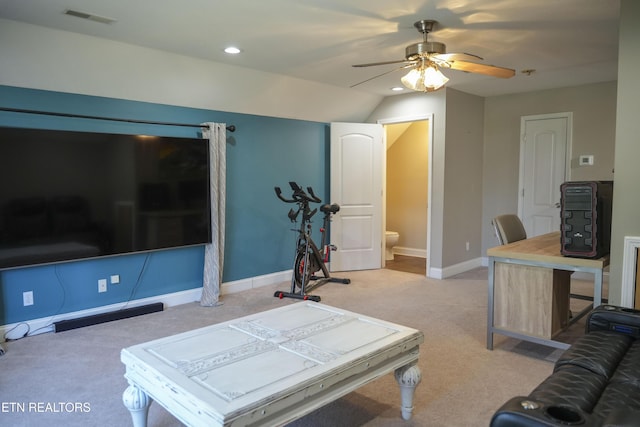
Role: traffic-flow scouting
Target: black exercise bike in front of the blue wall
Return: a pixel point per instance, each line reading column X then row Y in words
column 308, row 260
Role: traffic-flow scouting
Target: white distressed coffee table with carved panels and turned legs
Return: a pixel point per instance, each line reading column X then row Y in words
column 270, row 368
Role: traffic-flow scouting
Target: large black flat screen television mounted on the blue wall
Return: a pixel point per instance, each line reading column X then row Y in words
column 73, row 195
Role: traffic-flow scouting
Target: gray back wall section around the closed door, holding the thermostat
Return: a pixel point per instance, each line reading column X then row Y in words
column 594, row 114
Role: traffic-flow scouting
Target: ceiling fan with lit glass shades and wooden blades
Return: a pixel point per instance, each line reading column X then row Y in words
column 425, row 58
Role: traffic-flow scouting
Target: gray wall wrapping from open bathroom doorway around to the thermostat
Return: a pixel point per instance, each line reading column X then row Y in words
column 476, row 156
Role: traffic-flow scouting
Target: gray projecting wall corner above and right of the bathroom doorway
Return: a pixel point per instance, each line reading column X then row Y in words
column 457, row 170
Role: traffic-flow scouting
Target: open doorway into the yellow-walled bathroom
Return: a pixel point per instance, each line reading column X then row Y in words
column 406, row 201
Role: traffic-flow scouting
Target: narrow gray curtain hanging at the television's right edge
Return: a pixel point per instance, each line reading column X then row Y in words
column 216, row 133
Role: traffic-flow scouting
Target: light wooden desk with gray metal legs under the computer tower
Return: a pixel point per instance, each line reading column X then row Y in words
column 534, row 274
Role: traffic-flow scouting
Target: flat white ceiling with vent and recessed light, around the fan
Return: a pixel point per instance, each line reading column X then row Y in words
column 567, row 42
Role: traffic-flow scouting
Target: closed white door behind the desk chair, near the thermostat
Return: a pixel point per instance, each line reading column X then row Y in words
column 543, row 168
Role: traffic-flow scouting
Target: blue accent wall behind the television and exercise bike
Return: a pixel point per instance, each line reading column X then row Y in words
column 262, row 153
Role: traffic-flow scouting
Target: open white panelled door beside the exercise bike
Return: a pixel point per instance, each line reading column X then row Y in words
column 356, row 185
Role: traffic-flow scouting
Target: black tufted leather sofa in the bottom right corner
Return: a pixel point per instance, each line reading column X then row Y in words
column 595, row 382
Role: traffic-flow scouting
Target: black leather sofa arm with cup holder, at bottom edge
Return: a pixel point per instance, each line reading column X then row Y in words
column 525, row 412
